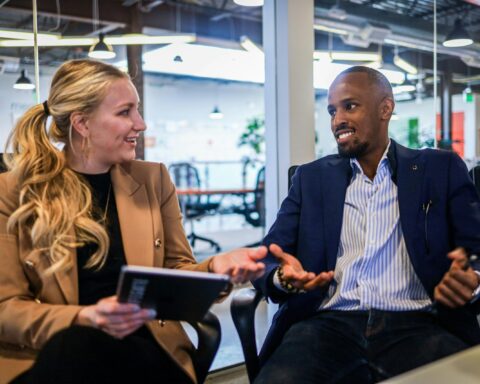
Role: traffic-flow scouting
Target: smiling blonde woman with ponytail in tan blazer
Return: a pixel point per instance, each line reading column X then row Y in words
column 70, row 218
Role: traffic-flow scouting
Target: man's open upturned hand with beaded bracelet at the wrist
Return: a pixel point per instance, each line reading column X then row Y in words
column 294, row 273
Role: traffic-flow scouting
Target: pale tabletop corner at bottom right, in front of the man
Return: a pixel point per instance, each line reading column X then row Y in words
column 461, row 368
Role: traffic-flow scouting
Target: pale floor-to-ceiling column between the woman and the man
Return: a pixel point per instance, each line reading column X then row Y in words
column 288, row 41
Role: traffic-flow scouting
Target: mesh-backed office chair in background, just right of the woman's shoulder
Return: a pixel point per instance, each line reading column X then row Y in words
column 194, row 207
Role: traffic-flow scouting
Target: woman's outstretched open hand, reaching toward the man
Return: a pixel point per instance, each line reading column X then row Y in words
column 241, row 264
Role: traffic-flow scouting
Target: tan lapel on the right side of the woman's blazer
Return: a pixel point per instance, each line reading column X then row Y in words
column 134, row 215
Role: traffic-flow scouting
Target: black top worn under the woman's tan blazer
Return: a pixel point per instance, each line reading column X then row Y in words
column 98, row 284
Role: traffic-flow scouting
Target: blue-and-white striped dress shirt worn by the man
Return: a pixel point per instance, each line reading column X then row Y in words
column 373, row 270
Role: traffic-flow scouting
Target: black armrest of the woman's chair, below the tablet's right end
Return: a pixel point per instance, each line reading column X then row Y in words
column 209, row 335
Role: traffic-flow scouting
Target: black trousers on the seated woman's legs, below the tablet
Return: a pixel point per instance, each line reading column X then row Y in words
column 86, row 355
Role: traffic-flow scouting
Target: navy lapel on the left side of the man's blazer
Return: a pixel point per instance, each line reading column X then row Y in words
column 334, row 186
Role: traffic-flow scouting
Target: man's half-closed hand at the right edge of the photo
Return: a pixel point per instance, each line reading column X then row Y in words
column 458, row 284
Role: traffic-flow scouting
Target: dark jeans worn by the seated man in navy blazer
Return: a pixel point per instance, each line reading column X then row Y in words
column 357, row 347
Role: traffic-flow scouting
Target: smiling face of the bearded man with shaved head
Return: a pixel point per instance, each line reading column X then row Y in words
column 355, row 108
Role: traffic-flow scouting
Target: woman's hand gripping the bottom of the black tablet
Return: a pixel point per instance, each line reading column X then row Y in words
column 116, row 319
